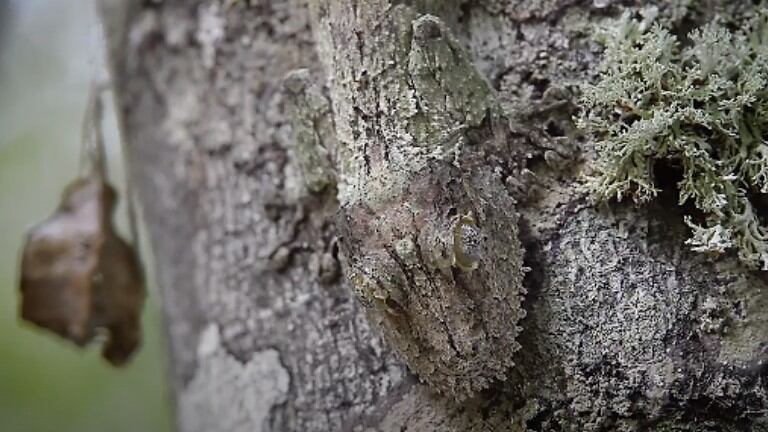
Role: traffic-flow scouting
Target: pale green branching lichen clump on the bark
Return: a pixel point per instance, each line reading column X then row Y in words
column 699, row 106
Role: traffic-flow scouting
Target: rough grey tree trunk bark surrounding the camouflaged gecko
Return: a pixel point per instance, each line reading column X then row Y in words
column 624, row 328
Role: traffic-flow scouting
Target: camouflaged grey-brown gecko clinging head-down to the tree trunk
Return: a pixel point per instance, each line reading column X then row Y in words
column 428, row 231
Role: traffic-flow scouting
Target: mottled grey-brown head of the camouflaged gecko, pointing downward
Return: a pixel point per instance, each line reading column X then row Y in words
column 452, row 319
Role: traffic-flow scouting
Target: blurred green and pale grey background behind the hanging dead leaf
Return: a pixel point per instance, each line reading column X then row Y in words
column 49, row 51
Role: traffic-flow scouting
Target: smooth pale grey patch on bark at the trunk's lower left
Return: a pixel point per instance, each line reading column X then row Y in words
column 227, row 395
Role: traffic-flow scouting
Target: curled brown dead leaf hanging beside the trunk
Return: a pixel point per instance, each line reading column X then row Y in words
column 78, row 277
